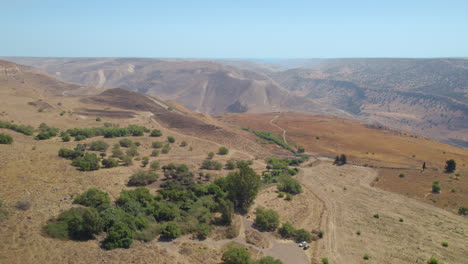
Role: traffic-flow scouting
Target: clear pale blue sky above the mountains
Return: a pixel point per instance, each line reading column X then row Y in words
column 234, row 29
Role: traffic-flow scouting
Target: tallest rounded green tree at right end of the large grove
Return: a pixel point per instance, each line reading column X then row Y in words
column 242, row 187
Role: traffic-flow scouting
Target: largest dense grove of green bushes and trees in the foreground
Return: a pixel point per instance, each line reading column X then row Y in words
column 180, row 207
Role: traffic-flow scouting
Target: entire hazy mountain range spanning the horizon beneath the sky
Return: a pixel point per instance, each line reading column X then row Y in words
column 426, row 96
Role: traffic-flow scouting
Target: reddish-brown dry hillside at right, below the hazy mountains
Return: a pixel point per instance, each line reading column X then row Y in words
column 393, row 151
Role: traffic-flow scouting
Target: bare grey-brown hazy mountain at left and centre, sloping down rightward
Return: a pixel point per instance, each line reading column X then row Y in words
column 199, row 85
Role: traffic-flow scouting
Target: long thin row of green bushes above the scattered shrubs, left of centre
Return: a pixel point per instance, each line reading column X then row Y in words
column 107, row 132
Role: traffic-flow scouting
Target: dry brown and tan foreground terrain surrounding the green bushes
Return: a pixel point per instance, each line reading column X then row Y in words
column 338, row 200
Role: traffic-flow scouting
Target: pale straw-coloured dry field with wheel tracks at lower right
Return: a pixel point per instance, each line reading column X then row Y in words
column 350, row 204
